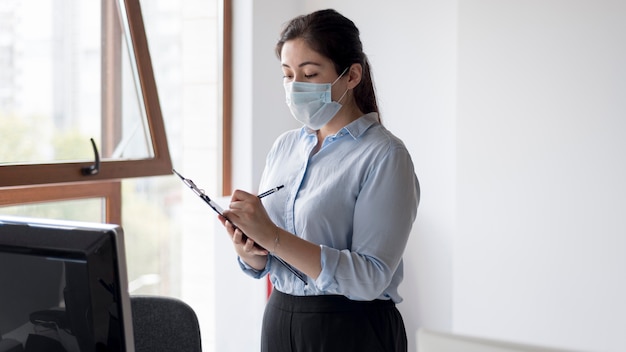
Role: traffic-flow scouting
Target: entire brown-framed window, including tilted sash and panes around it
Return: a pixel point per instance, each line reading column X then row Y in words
column 80, row 69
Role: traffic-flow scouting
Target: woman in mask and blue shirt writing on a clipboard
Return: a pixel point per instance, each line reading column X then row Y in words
column 333, row 237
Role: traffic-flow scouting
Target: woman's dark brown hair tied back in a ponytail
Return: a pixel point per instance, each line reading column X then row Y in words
column 337, row 38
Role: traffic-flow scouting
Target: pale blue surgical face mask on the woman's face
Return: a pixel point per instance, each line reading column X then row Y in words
column 311, row 104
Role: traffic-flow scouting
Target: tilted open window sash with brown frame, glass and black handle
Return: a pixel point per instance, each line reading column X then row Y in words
column 76, row 71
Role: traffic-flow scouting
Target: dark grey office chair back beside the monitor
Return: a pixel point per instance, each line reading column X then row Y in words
column 164, row 324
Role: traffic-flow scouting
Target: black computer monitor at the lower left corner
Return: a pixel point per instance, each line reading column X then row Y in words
column 63, row 287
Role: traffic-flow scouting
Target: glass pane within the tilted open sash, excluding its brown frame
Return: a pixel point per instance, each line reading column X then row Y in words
column 57, row 74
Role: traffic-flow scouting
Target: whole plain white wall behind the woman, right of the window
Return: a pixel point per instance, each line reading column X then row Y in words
column 513, row 113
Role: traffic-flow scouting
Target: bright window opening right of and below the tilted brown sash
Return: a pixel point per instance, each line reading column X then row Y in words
column 173, row 231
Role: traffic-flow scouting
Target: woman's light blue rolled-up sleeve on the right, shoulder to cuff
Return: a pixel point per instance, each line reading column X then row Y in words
column 383, row 218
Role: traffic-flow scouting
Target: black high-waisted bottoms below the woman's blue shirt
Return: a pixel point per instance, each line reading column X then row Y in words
column 331, row 323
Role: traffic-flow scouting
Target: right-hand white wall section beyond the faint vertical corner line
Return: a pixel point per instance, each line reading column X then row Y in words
column 540, row 251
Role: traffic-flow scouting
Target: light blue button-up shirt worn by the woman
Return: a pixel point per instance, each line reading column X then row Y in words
column 356, row 197
